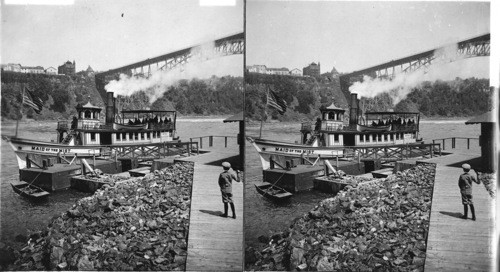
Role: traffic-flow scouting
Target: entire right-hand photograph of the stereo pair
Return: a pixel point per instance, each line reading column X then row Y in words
column 369, row 125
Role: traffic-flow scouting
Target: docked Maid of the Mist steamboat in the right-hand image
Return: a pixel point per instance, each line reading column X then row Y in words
column 335, row 135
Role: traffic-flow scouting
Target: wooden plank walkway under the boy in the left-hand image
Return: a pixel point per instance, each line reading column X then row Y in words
column 214, row 243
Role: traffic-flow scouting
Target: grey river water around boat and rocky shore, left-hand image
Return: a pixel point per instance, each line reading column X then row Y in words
column 19, row 216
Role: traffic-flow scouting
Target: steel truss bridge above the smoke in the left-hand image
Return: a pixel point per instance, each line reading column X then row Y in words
column 230, row 45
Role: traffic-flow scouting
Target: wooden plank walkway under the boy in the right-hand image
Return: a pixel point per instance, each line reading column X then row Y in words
column 455, row 244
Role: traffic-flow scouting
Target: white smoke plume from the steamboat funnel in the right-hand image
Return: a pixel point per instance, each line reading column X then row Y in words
column 403, row 83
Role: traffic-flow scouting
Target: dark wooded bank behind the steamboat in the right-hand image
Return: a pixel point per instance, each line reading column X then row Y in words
column 305, row 96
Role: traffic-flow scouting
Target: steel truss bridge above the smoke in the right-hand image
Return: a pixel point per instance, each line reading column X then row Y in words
column 474, row 47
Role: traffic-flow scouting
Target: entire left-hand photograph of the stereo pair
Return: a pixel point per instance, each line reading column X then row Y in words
column 122, row 124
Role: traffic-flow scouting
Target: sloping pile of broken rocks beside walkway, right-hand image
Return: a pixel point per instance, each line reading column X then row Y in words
column 379, row 226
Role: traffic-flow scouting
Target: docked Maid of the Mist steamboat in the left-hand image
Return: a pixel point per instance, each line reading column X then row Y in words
column 87, row 136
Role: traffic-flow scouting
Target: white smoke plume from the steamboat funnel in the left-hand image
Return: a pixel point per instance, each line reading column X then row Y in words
column 156, row 84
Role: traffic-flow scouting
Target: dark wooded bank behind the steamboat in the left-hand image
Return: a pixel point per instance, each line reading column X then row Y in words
column 61, row 94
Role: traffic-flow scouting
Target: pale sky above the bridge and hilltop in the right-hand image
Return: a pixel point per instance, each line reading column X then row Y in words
column 352, row 36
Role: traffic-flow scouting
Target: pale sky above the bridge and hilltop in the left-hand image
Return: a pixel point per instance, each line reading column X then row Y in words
column 113, row 33
